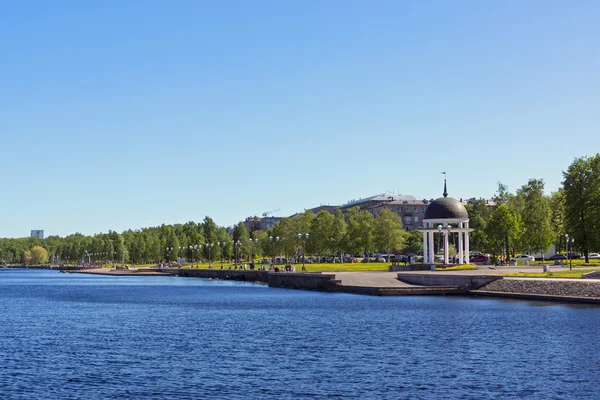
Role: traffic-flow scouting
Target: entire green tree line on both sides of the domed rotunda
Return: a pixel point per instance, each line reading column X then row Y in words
column 527, row 220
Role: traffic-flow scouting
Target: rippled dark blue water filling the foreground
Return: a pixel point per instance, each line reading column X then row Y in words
column 70, row 336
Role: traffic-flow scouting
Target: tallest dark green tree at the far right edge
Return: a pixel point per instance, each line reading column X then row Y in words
column 582, row 202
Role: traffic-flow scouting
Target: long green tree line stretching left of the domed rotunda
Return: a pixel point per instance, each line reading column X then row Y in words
column 353, row 231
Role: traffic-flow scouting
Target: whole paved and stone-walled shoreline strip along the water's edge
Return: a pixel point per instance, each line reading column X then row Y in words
column 558, row 290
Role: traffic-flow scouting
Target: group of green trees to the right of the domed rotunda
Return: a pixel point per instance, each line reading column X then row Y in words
column 531, row 221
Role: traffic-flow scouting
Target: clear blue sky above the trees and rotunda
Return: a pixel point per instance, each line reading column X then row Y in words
column 125, row 114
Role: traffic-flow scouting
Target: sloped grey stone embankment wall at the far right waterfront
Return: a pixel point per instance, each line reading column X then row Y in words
column 574, row 288
